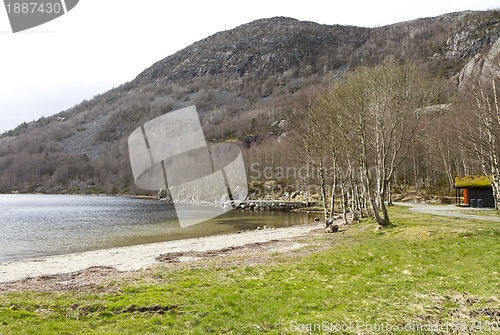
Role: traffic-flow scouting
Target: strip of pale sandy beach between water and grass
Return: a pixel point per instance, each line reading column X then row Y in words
column 141, row 256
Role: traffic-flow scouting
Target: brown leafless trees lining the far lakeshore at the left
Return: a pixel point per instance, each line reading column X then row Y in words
column 65, row 173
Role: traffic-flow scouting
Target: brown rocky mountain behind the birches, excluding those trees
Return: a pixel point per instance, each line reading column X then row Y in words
column 240, row 81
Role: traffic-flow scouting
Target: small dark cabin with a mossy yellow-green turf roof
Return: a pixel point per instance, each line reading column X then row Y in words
column 475, row 191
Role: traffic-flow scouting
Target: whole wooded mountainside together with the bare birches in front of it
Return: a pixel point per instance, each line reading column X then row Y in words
column 283, row 89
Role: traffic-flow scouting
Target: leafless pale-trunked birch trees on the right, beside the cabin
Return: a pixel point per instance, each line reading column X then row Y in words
column 364, row 132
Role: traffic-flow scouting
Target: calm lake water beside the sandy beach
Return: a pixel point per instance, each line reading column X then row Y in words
column 41, row 225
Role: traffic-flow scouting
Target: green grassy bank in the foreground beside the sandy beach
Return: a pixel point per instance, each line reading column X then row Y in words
column 428, row 270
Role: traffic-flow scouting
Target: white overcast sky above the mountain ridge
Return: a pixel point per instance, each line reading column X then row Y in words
column 100, row 44
